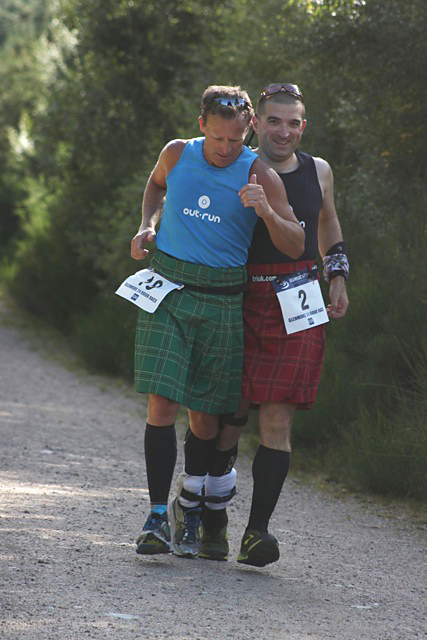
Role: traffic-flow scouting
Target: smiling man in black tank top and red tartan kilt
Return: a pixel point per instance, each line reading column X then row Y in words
column 281, row 371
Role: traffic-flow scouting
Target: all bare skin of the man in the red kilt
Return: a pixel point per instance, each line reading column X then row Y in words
column 280, row 128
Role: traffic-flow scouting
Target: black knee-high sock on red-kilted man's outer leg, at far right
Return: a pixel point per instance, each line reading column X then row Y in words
column 269, row 470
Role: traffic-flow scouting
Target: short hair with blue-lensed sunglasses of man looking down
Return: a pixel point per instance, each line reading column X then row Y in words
column 228, row 102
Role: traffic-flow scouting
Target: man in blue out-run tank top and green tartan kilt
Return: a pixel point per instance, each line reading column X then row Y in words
column 190, row 350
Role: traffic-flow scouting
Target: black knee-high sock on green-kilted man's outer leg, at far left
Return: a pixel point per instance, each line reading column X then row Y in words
column 160, row 458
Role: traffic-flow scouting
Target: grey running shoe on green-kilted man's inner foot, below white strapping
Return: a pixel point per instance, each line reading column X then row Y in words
column 185, row 526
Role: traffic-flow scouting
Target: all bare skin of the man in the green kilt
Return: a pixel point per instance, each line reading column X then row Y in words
column 265, row 192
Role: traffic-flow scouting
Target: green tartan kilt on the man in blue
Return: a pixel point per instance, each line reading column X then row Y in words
column 191, row 349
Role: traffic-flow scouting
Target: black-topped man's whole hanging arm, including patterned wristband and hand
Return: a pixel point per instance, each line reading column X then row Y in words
column 331, row 245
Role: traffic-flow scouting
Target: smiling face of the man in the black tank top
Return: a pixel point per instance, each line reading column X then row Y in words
column 279, row 129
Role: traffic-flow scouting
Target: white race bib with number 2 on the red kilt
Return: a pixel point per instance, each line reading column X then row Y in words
column 301, row 301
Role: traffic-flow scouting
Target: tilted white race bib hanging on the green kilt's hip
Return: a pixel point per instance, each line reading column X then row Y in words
column 146, row 289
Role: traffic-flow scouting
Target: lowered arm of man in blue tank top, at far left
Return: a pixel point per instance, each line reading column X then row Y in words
column 154, row 194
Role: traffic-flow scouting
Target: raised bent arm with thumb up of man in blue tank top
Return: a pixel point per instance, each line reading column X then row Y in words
column 267, row 195
